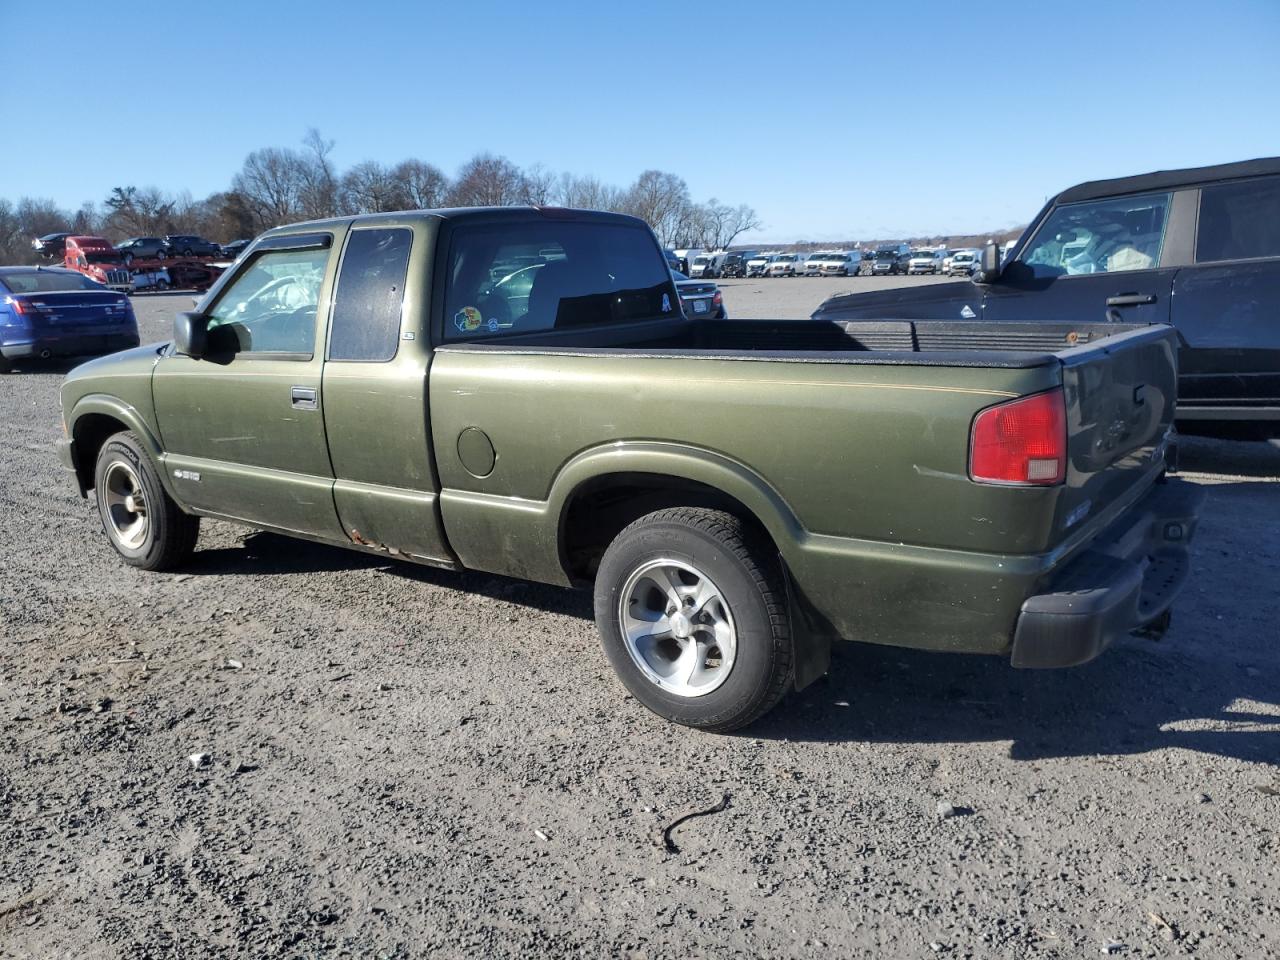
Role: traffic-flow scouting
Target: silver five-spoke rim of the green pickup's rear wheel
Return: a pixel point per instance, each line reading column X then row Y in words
column 678, row 628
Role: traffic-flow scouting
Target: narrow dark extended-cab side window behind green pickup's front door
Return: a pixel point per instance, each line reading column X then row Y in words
column 367, row 310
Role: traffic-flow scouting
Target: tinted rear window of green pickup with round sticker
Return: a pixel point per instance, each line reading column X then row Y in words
column 528, row 277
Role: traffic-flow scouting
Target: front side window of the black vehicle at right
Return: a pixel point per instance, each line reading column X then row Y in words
column 1100, row 237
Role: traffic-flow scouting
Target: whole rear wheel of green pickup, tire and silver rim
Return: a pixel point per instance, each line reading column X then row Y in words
column 692, row 610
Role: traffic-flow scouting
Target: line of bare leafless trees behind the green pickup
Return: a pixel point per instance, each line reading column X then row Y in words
column 284, row 185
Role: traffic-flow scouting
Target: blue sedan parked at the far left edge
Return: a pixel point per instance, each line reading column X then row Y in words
column 56, row 313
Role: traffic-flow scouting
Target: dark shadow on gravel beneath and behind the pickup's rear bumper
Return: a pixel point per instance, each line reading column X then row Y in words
column 1139, row 697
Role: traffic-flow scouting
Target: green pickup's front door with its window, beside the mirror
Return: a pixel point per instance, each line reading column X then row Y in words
column 244, row 428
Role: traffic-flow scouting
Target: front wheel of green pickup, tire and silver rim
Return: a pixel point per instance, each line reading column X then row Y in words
column 141, row 522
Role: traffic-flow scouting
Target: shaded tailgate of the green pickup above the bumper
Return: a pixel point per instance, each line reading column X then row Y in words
column 1121, row 400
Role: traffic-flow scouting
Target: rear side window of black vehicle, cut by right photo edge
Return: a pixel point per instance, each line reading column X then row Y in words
column 1240, row 222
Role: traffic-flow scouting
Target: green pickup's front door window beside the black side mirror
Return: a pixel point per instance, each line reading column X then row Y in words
column 272, row 307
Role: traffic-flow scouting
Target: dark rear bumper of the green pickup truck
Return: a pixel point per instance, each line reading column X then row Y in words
column 1127, row 579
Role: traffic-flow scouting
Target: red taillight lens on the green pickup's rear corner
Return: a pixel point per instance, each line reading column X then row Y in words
column 1021, row 442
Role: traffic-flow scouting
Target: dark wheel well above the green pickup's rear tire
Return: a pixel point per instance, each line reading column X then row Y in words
column 601, row 509
